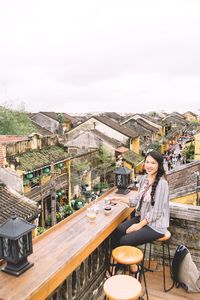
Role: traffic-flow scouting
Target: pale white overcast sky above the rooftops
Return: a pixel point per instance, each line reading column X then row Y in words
column 105, row 55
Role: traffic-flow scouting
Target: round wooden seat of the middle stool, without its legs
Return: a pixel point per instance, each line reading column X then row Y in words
column 127, row 255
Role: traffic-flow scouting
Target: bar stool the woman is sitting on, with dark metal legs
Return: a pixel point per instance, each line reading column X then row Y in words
column 164, row 241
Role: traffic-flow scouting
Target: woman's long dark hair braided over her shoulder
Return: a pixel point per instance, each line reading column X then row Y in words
column 158, row 157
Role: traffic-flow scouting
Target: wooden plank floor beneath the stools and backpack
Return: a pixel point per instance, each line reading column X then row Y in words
column 155, row 288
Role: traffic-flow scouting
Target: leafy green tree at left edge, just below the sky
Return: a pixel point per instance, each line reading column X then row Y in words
column 15, row 122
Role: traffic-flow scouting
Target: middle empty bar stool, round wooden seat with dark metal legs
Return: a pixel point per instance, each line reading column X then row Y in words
column 129, row 255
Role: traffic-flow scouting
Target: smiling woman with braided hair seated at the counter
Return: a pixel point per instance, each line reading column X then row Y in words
column 151, row 219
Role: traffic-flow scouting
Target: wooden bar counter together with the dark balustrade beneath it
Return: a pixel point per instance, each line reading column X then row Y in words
column 69, row 259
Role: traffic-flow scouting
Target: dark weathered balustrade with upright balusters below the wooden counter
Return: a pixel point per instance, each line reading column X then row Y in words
column 86, row 281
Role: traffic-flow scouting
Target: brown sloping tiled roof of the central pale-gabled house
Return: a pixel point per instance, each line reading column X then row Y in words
column 120, row 128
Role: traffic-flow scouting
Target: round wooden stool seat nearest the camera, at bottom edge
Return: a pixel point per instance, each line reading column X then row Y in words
column 122, row 287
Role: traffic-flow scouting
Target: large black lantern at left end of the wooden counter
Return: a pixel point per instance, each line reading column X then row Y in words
column 16, row 245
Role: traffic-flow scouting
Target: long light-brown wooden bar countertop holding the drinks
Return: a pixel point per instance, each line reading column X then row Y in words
column 58, row 251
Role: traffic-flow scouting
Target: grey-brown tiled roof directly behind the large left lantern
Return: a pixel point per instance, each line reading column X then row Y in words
column 11, row 201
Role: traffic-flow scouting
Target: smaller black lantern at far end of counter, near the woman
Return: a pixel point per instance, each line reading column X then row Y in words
column 122, row 178
